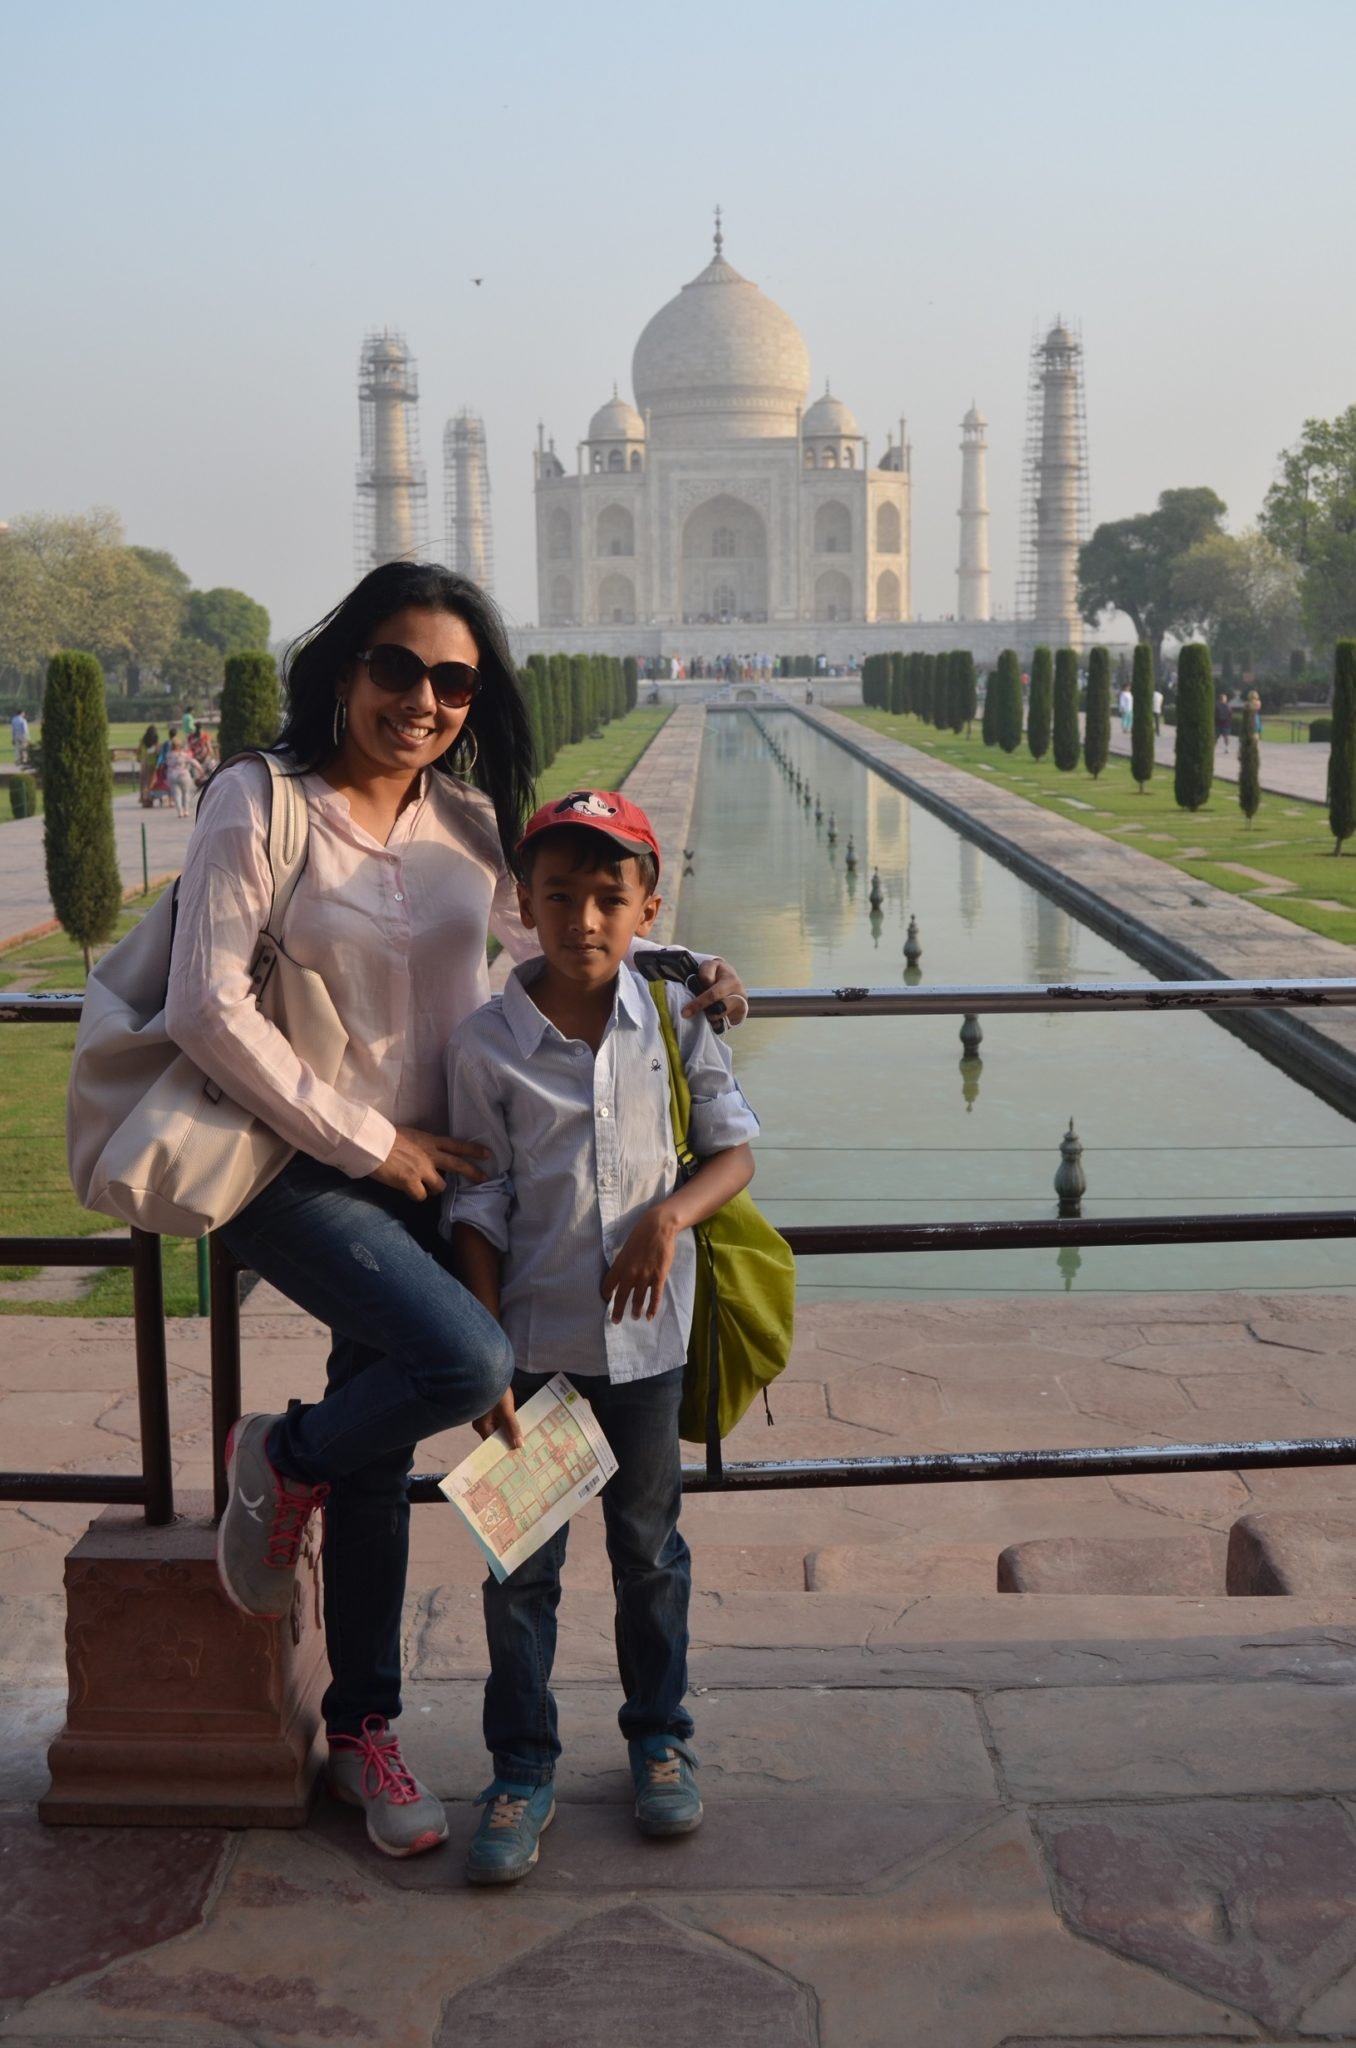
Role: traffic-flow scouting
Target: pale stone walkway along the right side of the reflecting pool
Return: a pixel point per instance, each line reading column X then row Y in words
column 1177, row 925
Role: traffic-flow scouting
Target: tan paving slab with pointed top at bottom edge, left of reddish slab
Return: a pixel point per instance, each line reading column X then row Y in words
column 966, row 1953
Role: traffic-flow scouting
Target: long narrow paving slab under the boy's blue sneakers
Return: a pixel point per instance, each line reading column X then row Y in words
column 786, row 1844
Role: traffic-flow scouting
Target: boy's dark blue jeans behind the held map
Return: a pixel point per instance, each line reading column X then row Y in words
column 652, row 1578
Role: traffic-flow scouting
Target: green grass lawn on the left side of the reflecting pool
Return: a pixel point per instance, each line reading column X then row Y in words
column 36, row 1195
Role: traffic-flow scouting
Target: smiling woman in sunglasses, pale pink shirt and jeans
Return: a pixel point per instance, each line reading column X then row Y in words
column 396, row 701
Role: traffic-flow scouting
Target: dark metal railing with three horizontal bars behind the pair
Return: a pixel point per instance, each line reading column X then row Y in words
column 810, row 1240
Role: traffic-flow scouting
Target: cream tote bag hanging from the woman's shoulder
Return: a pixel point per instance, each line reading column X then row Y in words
column 149, row 1138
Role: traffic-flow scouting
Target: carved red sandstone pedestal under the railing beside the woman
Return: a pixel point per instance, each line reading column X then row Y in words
column 181, row 1709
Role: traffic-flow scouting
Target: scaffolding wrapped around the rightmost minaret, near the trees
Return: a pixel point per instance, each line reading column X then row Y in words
column 1056, row 499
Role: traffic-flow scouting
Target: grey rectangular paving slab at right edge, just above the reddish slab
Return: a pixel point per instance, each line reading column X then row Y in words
column 1183, row 1742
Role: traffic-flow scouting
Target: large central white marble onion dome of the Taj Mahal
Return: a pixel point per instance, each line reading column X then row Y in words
column 720, row 364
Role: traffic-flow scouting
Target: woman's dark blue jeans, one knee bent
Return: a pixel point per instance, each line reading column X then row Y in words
column 413, row 1355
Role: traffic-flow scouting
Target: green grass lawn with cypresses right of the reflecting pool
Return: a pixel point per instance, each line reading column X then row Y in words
column 1287, row 841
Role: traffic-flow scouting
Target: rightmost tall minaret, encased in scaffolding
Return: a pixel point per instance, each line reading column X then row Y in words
column 1060, row 488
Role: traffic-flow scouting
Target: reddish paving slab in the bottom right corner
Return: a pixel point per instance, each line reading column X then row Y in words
column 1251, row 1902
